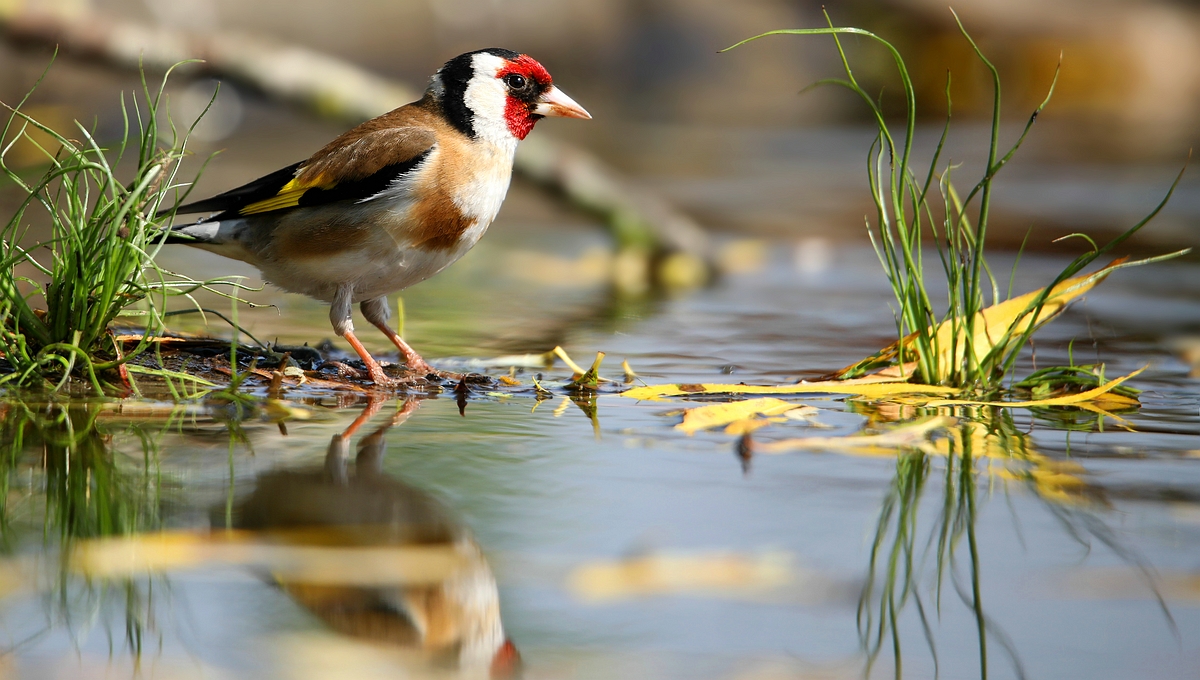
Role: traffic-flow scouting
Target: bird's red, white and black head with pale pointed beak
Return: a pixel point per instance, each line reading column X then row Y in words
column 499, row 95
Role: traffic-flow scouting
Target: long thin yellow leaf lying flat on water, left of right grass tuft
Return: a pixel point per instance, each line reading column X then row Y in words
column 871, row 388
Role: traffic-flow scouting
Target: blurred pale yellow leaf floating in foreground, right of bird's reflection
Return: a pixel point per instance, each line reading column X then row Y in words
column 713, row 574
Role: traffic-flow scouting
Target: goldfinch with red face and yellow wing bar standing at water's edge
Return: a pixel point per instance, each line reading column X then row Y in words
column 391, row 202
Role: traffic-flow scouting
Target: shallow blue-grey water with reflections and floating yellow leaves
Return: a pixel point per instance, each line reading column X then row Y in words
column 620, row 547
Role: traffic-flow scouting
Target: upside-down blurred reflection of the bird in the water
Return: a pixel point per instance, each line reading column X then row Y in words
column 451, row 619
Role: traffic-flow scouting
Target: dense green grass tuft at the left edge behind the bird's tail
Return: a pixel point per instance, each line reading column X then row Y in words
column 59, row 296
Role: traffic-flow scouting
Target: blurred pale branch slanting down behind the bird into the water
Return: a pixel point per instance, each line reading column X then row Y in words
column 337, row 89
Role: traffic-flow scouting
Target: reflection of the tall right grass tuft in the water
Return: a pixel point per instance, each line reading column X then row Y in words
column 917, row 553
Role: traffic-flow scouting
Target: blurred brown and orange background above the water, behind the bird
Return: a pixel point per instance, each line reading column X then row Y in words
column 728, row 137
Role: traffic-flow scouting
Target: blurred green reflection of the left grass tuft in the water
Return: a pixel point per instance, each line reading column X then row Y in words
column 91, row 490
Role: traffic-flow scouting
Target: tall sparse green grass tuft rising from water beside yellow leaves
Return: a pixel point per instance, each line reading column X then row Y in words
column 908, row 221
